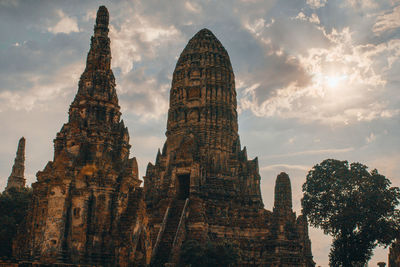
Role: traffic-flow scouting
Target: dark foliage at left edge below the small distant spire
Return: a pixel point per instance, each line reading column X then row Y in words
column 13, row 207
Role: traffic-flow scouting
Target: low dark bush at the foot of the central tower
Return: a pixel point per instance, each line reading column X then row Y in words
column 222, row 254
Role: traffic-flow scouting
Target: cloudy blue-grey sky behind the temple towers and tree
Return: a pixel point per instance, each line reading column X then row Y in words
column 316, row 79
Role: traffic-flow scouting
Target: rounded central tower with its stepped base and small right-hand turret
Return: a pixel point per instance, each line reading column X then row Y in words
column 202, row 185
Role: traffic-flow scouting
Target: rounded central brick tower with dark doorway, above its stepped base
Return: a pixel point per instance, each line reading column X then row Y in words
column 202, row 155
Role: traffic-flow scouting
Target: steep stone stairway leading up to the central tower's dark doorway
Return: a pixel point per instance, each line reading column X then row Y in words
column 164, row 248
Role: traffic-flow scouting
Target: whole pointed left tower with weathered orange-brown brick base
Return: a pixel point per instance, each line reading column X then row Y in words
column 87, row 205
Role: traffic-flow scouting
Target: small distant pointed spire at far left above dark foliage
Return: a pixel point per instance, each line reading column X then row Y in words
column 16, row 179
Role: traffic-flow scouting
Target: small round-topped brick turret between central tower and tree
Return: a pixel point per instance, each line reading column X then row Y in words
column 283, row 193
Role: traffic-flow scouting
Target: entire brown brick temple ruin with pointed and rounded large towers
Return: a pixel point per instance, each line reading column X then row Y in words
column 88, row 207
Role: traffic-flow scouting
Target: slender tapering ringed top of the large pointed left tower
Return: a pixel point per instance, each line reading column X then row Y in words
column 96, row 100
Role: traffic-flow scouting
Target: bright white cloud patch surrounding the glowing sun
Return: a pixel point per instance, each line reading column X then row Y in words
column 346, row 83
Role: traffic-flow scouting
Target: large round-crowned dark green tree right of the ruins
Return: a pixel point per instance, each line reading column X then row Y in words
column 356, row 207
